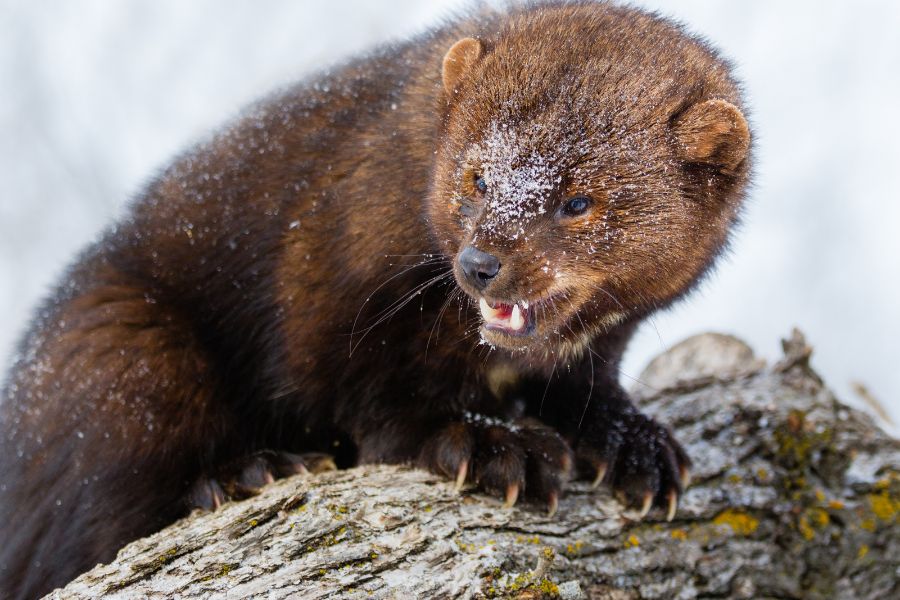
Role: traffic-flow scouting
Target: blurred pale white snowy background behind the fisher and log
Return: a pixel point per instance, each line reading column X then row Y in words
column 96, row 95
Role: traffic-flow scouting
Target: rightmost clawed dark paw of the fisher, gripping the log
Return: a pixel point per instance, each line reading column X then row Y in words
column 638, row 458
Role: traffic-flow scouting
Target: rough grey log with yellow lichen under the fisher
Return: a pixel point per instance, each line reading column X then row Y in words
column 795, row 495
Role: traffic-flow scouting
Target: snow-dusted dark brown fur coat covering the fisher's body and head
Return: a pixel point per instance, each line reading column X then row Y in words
column 288, row 285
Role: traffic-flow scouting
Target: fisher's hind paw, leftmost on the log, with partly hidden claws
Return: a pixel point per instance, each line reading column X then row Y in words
column 247, row 476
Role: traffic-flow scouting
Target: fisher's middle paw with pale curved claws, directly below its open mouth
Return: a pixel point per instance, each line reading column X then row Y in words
column 506, row 459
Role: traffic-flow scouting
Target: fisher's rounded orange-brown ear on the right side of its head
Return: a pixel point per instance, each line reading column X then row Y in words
column 713, row 133
